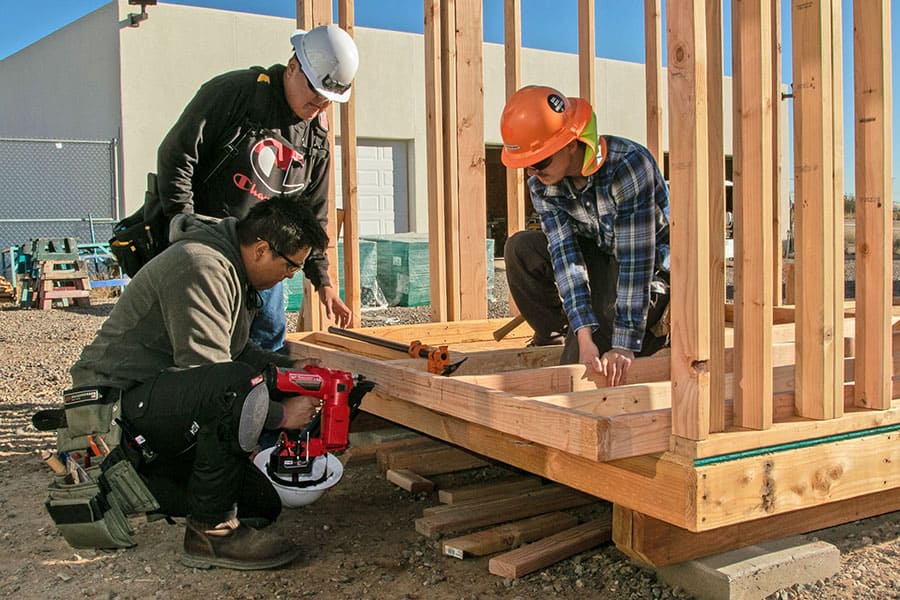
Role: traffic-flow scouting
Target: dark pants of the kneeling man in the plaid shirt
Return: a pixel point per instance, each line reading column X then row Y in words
column 533, row 287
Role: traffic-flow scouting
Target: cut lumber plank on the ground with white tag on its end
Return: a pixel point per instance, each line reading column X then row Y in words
column 508, row 535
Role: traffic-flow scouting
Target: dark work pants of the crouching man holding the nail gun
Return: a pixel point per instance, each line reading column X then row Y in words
column 206, row 474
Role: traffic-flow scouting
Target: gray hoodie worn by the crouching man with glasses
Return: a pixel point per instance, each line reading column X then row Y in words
column 185, row 308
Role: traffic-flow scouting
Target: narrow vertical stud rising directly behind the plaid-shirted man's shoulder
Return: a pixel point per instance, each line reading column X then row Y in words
column 653, row 75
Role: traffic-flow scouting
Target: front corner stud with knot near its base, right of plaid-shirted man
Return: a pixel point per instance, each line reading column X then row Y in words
column 689, row 182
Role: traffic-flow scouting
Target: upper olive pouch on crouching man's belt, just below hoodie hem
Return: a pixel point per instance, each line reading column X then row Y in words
column 90, row 412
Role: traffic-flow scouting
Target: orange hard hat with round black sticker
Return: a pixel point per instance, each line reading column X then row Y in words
column 537, row 122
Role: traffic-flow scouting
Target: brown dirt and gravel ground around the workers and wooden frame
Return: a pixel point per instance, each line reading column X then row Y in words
column 359, row 540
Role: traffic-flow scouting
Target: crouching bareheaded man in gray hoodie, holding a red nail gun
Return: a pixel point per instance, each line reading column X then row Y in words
column 194, row 398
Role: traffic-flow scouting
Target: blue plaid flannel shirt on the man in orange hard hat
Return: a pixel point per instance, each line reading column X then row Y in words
column 625, row 208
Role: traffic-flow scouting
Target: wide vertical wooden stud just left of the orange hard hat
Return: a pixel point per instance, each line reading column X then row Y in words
column 472, row 212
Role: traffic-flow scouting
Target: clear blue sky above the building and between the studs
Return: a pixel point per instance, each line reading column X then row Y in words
column 619, row 27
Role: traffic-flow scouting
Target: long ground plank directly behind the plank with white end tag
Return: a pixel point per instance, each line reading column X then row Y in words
column 491, row 512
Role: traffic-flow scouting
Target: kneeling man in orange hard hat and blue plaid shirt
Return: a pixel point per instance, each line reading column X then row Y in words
column 599, row 266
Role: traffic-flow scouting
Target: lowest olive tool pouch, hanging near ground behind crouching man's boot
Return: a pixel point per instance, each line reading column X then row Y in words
column 84, row 516
